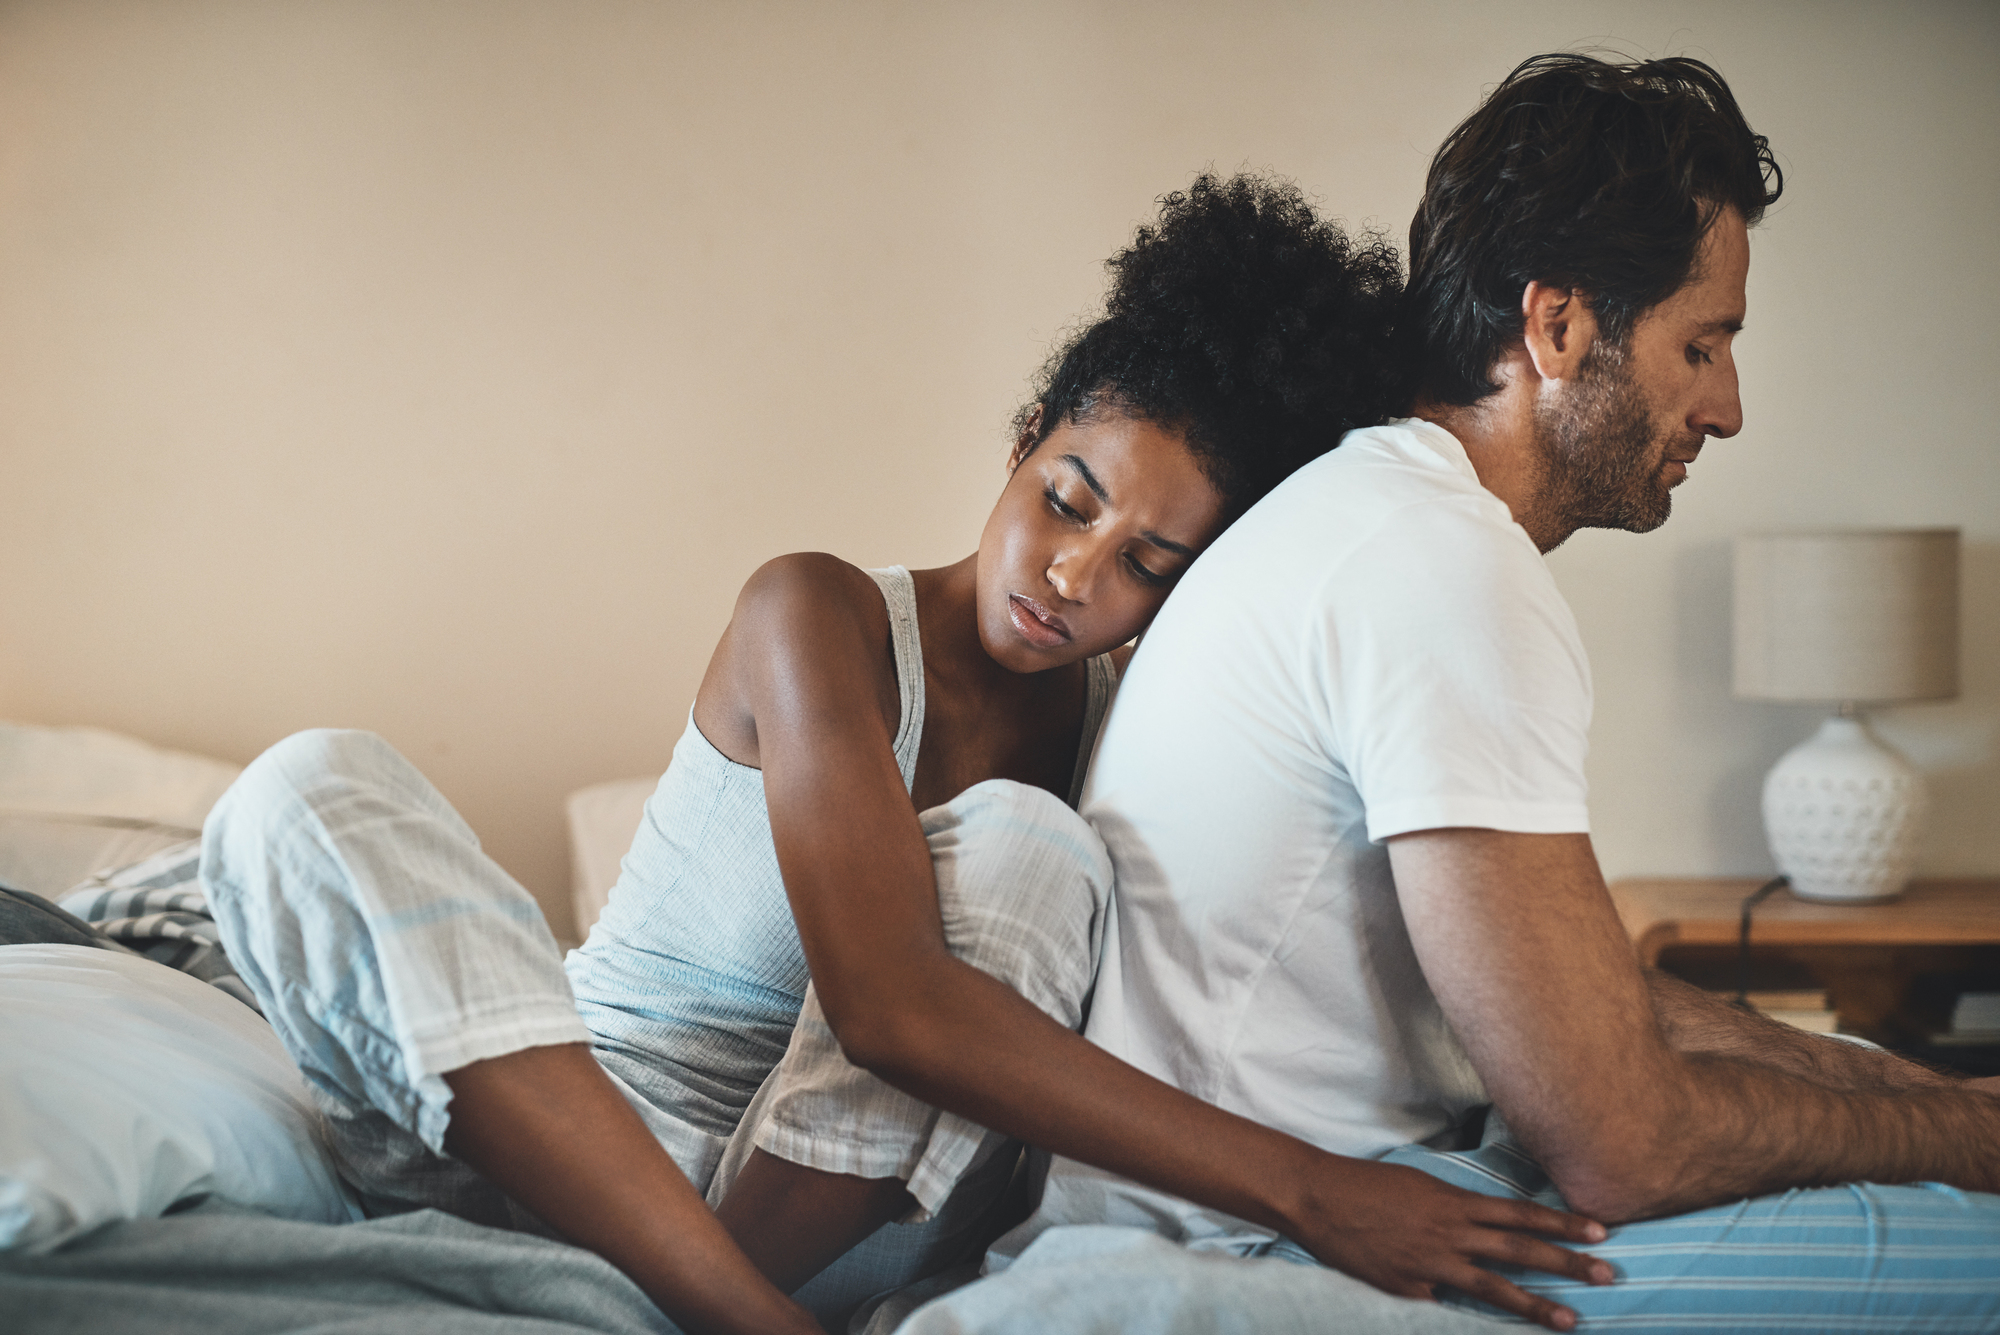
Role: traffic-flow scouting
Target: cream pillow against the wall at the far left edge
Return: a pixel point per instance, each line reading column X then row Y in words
column 75, row 800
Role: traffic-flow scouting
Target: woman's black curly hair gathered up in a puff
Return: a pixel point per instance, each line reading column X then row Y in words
column 1243, row 321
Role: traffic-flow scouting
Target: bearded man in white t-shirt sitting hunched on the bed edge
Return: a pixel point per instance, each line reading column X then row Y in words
column 1345, row 782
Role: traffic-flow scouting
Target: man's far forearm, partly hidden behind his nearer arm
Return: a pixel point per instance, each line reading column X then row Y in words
column 1701, row 1022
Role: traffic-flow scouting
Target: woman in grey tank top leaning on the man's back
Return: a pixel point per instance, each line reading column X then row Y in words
column 417, row 986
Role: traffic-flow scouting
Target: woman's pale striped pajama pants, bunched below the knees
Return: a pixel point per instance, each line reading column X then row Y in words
column 389, row 950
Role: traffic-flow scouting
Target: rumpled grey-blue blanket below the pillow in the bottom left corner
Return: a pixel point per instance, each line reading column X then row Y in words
column 219, row 1270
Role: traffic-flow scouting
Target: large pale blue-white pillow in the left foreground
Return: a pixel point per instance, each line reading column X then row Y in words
column 127, row 1088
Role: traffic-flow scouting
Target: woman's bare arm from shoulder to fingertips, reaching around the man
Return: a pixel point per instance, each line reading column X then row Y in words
column 799, row 659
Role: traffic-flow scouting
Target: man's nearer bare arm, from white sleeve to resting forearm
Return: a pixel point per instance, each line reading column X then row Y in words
column 1523, row 948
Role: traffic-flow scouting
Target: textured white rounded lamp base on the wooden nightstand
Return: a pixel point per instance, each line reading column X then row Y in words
column 1843, row 814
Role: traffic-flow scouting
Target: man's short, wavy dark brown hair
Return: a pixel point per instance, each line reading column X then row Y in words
column 1583, row 175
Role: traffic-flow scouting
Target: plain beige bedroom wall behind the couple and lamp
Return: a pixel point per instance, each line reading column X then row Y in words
column 443, row 367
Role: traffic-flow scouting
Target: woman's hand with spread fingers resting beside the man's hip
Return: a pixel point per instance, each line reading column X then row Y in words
column 1405, row 1232
